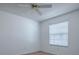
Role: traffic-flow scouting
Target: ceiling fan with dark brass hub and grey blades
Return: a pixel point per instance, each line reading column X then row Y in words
column 36, row 6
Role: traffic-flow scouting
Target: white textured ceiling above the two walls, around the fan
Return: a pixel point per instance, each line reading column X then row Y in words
column 25, row 10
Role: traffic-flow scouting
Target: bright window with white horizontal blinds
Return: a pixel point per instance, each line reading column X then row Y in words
column 58, row 34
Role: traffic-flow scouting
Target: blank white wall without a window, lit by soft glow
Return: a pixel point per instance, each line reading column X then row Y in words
column 18, row 35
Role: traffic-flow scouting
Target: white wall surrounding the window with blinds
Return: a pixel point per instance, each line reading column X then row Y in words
column 73, row 47
